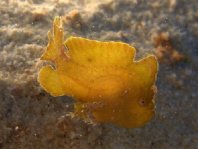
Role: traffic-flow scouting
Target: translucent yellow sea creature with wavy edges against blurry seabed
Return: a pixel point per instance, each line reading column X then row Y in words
column 108, row 85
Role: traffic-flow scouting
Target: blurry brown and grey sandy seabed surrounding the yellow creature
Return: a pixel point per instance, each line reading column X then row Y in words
column 31, row 118
